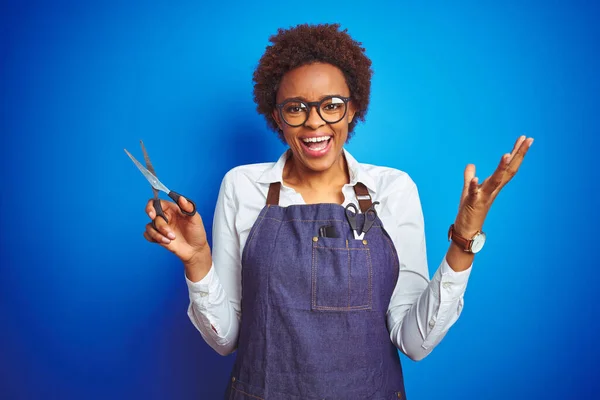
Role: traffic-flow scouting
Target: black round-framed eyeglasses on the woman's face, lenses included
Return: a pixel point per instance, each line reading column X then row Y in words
column 331, row 109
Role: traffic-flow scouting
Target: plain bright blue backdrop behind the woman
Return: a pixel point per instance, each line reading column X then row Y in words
column 90, row 310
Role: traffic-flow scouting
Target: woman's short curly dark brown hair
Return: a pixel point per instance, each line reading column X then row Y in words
column 307, row 44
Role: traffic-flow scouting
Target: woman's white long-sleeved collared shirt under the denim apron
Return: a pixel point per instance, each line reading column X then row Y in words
column 420, row 311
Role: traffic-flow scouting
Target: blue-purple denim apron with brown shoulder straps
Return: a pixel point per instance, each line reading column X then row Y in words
column 313, row 322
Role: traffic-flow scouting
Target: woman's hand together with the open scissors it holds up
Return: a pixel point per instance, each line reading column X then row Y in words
column 180, row 228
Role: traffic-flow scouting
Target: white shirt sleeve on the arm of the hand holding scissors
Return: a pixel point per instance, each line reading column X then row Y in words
column 214, row 307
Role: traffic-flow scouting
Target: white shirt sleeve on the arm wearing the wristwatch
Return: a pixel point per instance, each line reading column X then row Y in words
column 421, row 311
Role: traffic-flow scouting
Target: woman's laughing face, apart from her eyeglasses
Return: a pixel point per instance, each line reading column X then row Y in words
column 316, row 145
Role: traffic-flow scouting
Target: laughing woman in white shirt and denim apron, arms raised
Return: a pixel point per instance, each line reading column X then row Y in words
column 315, row 307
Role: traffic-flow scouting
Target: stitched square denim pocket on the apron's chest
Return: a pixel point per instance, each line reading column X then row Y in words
column 342, row 275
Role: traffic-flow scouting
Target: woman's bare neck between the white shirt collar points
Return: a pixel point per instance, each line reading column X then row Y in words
column 296, row 174
